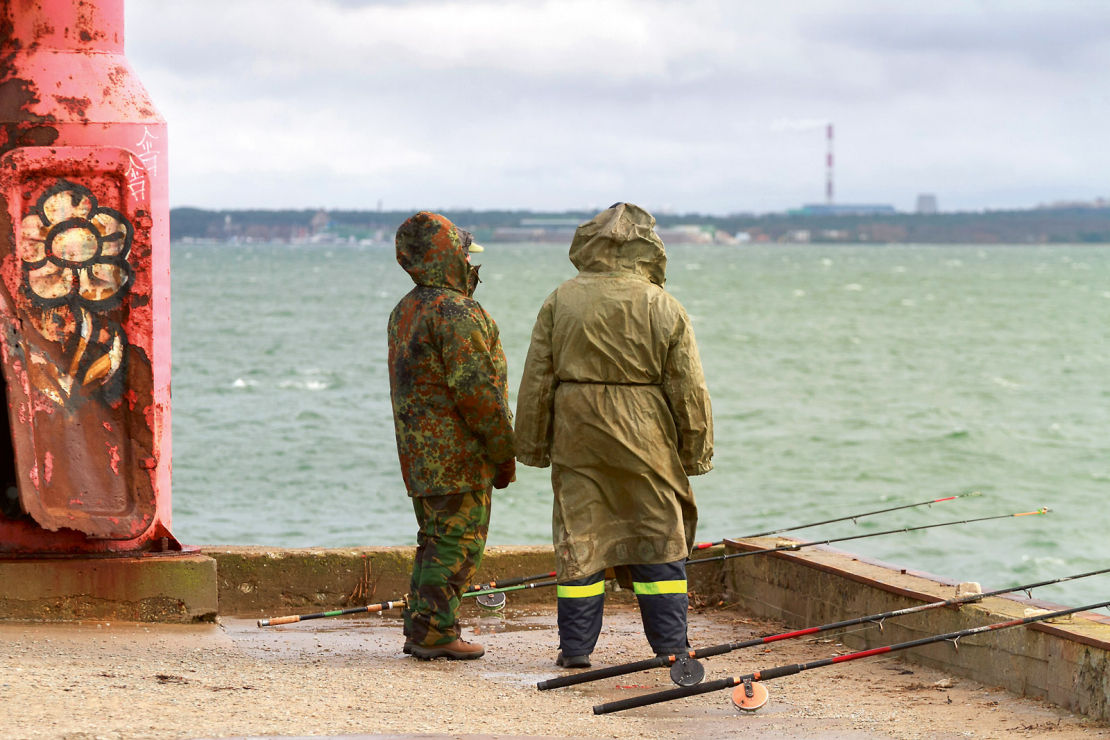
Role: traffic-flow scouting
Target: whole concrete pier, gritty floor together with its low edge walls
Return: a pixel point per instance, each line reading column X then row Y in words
column 144, row 682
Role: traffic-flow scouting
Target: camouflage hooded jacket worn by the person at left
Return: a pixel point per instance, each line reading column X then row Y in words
column 448, row 372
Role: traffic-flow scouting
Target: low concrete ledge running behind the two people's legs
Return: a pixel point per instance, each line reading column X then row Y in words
column 258, row 582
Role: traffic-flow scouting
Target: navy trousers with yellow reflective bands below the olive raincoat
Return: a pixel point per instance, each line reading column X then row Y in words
column 661, row 591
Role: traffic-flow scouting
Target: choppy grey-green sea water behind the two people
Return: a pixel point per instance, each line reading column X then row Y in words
column 843, row 378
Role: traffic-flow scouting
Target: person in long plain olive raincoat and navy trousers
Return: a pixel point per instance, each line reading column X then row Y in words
column 613, row 399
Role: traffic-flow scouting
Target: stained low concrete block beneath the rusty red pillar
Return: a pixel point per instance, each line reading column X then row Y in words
column 180, row 589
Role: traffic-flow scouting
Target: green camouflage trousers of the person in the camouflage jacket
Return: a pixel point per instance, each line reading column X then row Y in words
column 450, row 544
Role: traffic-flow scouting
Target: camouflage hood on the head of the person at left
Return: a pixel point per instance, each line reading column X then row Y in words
column 433, row 252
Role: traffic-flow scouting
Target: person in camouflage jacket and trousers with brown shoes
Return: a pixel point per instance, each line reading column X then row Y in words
column 453, row 425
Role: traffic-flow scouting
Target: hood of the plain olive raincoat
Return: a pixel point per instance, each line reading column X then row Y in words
column 622, row 239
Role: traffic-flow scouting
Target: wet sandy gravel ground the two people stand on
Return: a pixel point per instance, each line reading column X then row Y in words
column 94, row 682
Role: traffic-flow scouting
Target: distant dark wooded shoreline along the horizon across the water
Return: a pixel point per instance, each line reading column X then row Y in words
column 1036, row 226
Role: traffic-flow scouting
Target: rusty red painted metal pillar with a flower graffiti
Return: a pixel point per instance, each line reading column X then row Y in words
column 85, row 287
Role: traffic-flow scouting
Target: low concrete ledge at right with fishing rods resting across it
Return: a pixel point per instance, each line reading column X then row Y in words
column 1067, row 662
